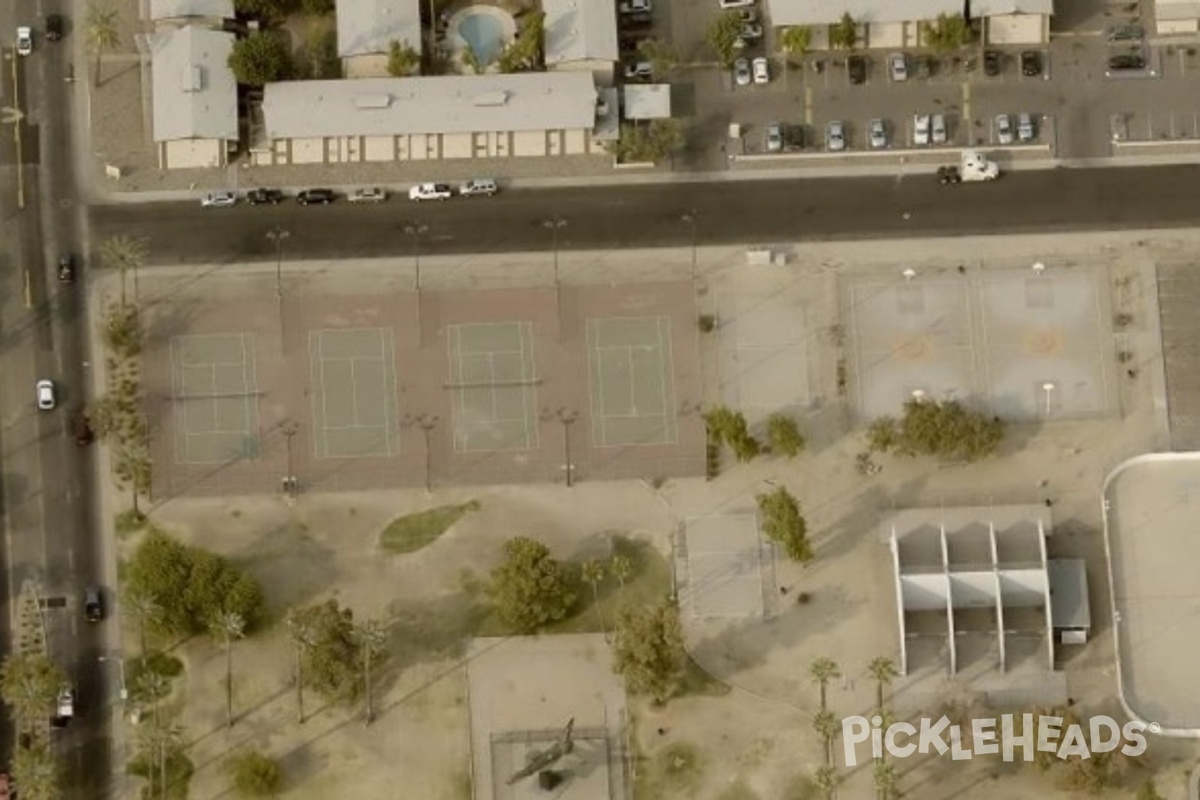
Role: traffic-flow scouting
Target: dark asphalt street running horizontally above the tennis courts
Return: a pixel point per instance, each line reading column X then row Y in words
column 651, row 215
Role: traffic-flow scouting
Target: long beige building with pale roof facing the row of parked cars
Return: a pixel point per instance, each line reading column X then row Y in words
column 428, row 119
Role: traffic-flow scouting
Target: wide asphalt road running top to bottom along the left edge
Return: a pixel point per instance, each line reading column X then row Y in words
column 50, row 531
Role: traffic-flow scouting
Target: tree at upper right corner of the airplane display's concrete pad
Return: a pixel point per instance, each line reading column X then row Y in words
column 649, row 651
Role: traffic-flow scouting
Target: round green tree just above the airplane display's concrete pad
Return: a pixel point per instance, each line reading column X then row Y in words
column 529, row 587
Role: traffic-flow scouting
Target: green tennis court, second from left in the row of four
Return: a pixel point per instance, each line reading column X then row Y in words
column 355, row 393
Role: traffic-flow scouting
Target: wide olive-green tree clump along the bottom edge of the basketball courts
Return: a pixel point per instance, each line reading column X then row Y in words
column 941, row 429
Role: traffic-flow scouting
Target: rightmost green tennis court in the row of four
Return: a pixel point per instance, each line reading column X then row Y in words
column 633, row 392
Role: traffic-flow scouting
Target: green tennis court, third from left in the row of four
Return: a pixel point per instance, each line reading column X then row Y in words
column 494, row 387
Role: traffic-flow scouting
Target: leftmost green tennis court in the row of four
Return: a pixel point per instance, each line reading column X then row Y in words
column 214, row 388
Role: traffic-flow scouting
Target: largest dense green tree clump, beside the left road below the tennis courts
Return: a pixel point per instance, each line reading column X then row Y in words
column 189, row 587
